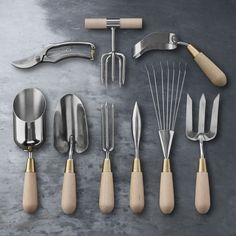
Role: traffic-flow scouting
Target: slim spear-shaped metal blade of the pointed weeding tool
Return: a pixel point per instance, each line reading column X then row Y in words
column 136, row 128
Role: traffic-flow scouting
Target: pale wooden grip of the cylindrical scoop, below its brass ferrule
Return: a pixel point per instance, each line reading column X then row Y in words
column 30, row 192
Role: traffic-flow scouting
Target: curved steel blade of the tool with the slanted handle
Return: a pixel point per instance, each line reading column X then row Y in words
column 155, row 41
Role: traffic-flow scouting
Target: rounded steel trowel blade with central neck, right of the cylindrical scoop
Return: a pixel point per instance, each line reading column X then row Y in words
column 70, row 126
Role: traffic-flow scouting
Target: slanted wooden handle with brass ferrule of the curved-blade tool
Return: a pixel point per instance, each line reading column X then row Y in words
column 209, row 68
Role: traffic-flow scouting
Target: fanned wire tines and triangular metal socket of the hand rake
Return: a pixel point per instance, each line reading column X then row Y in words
column 166, row 96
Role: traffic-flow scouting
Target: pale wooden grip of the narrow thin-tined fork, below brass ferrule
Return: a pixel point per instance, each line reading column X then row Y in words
column 106, row 196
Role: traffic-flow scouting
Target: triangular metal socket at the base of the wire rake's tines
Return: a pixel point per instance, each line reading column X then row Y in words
column 166, row 137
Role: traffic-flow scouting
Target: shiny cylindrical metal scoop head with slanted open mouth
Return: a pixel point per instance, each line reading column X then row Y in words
column 29, row 109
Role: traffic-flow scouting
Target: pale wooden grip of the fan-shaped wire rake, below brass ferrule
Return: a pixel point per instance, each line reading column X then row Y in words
column 166, row 200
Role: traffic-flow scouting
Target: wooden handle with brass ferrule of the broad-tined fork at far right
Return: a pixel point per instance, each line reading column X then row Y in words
column 202, row 191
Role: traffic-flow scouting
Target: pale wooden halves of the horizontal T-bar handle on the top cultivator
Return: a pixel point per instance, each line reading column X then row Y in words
column 124, row 23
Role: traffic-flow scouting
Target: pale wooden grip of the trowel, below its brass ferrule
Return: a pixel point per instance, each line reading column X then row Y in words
column 68, row 199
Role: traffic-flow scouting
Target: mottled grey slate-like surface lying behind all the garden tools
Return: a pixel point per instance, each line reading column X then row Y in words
column 26, row 26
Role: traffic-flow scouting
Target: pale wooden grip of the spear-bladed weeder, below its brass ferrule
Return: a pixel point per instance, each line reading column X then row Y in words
column 136, row 192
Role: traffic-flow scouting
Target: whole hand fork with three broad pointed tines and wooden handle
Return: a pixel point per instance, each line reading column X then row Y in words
column 202, row 190
